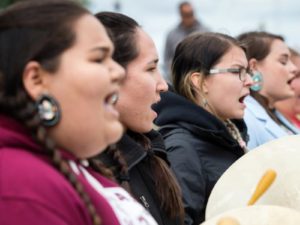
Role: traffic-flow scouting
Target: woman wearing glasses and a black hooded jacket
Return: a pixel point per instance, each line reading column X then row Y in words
column 197, row 119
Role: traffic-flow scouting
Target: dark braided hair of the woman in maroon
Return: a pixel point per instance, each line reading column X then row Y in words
column 29, row 31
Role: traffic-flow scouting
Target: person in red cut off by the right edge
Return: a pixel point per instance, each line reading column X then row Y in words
column 290, row 107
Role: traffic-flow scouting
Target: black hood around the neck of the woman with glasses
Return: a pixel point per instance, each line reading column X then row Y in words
column 176, row 111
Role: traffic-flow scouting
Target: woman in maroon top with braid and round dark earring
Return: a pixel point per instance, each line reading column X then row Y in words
column 58, row 88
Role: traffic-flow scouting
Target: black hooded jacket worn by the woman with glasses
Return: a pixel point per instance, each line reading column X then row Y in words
column 199, row 148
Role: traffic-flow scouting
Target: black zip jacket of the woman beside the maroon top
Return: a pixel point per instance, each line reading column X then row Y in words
column 141, row 178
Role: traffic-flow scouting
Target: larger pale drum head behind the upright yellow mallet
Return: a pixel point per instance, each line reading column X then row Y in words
column 237, row 184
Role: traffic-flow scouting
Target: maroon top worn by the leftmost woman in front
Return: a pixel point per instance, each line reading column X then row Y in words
column 33, row 192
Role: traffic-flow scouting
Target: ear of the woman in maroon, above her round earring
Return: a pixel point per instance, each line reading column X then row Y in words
column 33, row 79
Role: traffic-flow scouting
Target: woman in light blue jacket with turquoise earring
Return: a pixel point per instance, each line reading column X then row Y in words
column 270, row 59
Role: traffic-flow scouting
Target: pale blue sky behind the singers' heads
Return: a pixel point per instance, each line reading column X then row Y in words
column 232, row 17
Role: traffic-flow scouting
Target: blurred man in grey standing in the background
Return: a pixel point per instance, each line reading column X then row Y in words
column 187, row 25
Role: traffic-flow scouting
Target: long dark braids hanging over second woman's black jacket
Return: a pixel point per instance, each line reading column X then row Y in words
column 167, row 188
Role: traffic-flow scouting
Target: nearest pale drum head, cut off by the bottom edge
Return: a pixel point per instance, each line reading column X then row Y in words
column 257, row 215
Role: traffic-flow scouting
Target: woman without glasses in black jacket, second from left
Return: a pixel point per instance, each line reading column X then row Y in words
column 144, row 170
